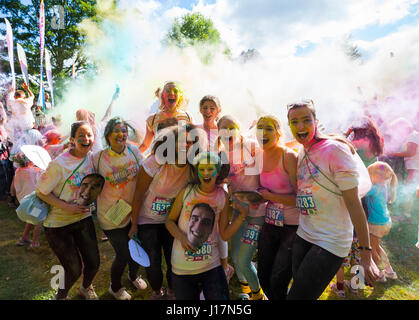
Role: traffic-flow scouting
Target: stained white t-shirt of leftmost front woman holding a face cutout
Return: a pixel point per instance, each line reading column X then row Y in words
column 53, row 179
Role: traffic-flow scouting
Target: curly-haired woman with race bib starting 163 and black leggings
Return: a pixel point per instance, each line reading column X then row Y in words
column 158, row 184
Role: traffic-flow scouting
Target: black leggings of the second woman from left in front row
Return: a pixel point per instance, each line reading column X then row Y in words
column 119, row 240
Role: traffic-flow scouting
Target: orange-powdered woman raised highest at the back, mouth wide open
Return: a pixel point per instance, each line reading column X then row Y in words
column 172, row 104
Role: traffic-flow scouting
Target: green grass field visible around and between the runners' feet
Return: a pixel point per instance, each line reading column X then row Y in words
column 25, row 272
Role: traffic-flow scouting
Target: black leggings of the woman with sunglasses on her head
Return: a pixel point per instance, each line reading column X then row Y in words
column 313, row 268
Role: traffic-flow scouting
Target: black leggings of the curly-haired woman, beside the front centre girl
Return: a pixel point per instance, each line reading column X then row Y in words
column 154, row 238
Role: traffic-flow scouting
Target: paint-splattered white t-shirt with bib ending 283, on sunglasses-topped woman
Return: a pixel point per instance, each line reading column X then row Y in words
column 324, row 218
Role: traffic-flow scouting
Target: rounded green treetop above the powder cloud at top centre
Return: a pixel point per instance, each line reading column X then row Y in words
column 194, row 29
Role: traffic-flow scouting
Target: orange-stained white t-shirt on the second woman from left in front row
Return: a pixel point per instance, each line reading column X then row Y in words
column 120, row 172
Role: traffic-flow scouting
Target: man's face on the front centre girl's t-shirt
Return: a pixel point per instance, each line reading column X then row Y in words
column 200, row 225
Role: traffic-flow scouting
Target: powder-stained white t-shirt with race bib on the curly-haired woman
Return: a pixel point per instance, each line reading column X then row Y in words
column 168, row 180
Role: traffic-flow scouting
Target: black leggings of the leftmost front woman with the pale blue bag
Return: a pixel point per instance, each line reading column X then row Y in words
column 76, row 248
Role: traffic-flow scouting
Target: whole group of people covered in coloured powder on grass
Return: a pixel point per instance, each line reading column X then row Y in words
column 292, row 214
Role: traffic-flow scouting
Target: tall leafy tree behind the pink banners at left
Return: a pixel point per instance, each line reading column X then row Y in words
column 62, row 37
